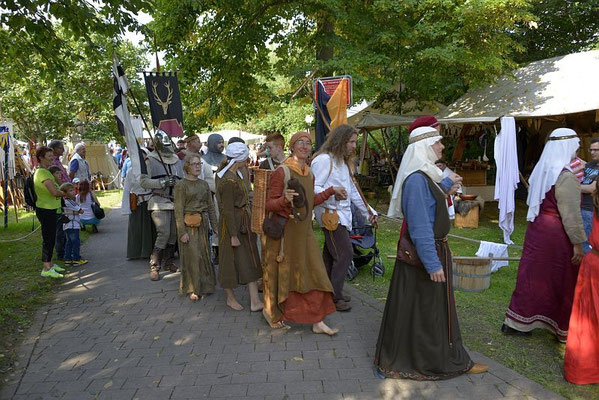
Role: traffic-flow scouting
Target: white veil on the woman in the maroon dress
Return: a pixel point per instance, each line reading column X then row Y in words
column 558, row 152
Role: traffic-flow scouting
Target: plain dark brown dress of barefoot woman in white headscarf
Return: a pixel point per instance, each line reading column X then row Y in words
column 236, row 265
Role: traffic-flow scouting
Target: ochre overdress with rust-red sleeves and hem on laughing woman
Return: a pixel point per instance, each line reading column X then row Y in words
column 297, row 289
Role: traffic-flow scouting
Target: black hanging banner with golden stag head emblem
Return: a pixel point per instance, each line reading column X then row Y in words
column 165, row 102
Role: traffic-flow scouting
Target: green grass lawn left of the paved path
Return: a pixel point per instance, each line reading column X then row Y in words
column 22, row 289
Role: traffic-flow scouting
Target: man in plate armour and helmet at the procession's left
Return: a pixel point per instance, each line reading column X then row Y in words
column 164, row 171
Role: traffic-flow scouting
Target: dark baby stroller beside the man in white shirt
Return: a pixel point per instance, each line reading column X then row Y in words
column 363, row 240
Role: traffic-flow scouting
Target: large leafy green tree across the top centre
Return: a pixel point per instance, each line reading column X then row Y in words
column 436, row 49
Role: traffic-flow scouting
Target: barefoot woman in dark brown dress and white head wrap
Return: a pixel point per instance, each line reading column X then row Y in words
column 239, row 261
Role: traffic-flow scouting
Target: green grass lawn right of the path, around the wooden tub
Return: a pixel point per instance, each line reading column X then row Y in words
column 539, row 357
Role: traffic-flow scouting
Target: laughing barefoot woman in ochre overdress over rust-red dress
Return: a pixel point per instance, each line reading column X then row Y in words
column 296, row 285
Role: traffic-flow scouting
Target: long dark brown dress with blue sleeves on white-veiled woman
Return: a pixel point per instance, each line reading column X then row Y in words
column 420, row 336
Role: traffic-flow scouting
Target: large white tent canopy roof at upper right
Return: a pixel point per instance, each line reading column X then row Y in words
column 555, row 86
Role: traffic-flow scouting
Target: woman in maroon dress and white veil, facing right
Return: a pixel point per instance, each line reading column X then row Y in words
column 552, row 246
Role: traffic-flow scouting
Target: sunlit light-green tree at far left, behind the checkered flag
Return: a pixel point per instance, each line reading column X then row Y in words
column 76, row 102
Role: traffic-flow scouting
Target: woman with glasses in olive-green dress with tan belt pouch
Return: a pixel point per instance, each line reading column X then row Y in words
column 193, row 211
